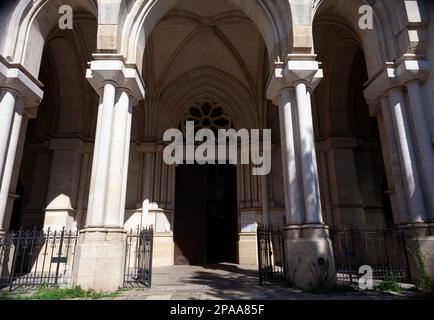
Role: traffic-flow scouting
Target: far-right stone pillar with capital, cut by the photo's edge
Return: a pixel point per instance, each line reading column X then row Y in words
column 402, row 106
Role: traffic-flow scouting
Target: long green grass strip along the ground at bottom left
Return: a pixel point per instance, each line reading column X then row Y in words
column 44, row 292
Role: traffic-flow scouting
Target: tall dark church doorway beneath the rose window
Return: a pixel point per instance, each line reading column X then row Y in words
column 205, row 226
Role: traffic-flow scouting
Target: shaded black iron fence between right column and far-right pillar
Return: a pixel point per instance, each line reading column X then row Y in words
column 383, row 250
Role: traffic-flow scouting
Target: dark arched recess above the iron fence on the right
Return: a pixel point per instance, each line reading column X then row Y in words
column 353, row 177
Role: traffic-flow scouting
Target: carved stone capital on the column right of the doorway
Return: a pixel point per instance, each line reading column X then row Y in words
column 296, row 68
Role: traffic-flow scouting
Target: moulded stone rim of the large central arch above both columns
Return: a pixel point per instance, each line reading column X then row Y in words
column 273, row 20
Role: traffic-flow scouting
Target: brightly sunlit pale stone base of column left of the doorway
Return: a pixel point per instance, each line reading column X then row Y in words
column 99, row 260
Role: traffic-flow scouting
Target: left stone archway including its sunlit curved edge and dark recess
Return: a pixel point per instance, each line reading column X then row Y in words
column 58, row 59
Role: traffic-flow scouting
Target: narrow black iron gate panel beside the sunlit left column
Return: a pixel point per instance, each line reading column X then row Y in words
column 138, row 258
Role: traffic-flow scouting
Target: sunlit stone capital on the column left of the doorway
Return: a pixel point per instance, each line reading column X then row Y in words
column 112, row 68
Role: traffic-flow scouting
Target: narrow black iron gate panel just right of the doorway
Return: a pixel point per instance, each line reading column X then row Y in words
column 271, row 253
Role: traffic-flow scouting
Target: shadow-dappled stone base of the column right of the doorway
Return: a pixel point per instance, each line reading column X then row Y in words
column 309, row 257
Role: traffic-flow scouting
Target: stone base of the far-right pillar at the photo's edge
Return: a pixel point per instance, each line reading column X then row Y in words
column 419, row 240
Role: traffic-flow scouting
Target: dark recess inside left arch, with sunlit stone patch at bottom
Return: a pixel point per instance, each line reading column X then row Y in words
column 55, row 168
